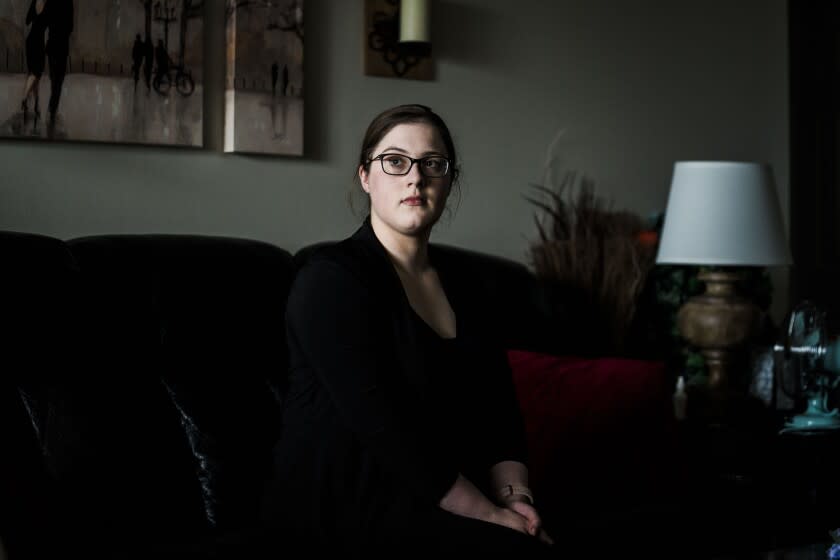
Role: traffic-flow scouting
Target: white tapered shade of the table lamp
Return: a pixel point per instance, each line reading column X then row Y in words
column 723, row 213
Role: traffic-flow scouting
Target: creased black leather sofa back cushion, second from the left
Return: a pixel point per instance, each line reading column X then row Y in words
column 201, row 320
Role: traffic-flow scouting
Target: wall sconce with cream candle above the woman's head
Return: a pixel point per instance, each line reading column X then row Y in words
column 397, row 39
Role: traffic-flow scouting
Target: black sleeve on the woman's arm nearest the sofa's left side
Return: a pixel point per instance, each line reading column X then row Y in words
column 330, row 316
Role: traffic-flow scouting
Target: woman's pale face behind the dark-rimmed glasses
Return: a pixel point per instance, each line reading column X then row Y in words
column 408, row 204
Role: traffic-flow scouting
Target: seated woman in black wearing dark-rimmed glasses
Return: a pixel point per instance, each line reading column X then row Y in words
column 401, row 428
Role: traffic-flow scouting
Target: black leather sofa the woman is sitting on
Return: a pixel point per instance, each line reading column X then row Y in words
column 142, row 381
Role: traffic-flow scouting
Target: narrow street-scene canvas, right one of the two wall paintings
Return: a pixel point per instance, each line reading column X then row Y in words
column 264, row 78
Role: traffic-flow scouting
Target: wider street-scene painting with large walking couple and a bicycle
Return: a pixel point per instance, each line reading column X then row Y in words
column 126, row 71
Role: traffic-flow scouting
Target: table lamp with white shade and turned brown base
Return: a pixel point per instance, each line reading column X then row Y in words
column 722, row 215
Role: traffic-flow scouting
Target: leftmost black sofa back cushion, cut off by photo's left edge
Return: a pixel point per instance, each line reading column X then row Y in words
column 40, row 283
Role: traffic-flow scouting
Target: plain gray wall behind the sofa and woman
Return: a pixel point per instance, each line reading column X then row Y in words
column 634, row 85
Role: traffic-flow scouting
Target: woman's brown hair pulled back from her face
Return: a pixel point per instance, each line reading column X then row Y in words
column 405, row 114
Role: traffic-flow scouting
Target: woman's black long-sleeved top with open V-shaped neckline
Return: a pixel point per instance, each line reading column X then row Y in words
column 381, row 413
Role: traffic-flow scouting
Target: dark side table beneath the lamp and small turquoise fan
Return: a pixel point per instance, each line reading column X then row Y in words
column 761, row 489
